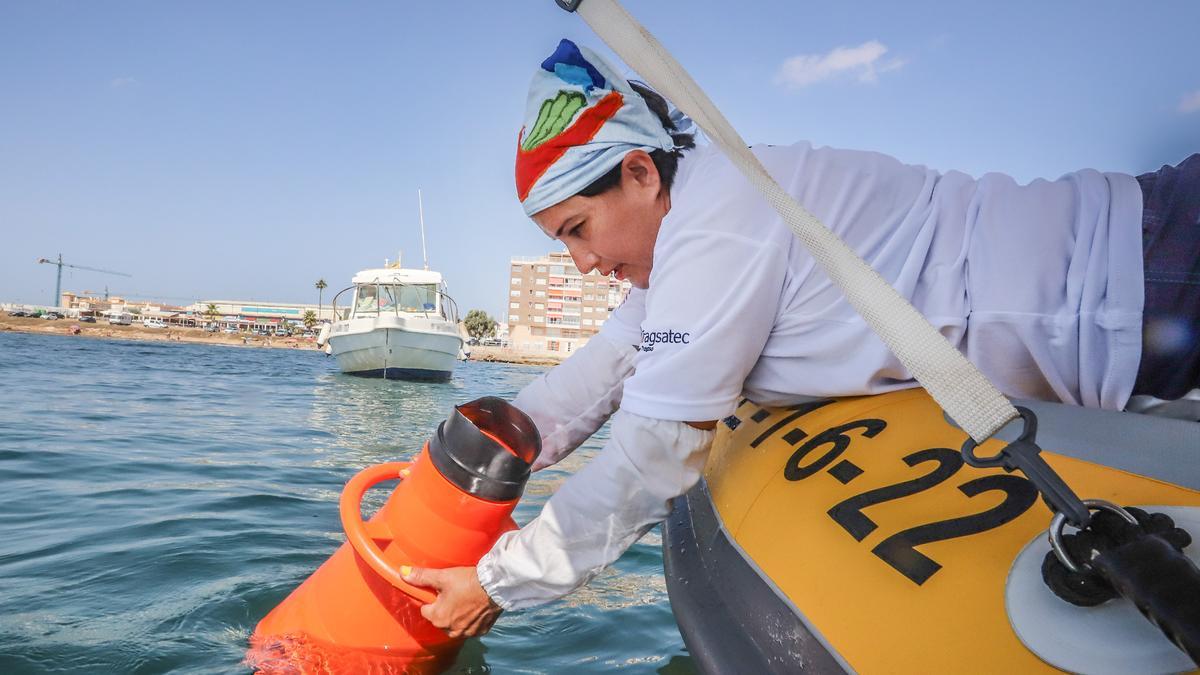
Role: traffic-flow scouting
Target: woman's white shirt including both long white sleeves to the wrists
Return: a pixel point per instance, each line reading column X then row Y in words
column 1041, row 286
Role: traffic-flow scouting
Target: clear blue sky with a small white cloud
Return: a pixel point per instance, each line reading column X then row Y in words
column 247, row 150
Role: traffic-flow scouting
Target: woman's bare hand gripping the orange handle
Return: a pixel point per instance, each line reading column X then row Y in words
column 463, row 610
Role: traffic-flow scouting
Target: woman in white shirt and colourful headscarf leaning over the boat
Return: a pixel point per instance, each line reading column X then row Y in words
column 1042, row 286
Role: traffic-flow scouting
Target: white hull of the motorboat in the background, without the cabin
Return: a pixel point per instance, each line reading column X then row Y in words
column 385, row 349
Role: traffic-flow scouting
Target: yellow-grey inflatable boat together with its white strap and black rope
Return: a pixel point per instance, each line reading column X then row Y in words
column 874, row 535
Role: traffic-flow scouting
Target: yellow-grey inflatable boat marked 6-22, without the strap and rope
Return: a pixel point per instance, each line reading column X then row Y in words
column 849, row 535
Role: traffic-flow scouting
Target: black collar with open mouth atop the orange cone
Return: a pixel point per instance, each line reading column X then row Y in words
column 487, row 449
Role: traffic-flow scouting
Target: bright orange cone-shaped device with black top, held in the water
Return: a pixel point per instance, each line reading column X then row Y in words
column 357, row 613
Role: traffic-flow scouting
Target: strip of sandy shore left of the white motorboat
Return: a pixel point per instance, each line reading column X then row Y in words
column 139, row 332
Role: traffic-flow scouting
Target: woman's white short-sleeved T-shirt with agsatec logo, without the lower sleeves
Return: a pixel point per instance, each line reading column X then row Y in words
column 1041, row 285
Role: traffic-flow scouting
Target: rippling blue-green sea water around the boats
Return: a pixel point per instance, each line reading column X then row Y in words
column 158, row 500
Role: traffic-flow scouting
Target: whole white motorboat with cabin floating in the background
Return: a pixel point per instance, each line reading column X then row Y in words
column 399, row 325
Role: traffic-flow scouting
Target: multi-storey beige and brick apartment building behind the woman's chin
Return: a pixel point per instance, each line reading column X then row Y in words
column 555, row 309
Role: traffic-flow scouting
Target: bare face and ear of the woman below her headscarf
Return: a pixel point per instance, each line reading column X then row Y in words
column 614, row 232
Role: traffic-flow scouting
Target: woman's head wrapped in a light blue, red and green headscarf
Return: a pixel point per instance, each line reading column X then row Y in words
column 596, row 163
